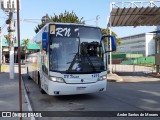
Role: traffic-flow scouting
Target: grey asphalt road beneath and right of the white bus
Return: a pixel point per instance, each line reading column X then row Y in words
column 124, row 96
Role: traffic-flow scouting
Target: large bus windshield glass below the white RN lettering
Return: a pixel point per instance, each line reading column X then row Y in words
column 81, row 54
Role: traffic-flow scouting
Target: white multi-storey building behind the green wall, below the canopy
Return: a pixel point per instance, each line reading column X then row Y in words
column 138, row 44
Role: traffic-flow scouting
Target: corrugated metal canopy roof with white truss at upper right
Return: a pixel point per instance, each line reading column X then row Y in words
column 135, row 14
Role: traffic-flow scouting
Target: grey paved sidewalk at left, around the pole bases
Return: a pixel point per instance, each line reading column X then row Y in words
column 9, row 93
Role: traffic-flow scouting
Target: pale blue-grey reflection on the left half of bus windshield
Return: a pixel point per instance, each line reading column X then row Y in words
column 61, row 52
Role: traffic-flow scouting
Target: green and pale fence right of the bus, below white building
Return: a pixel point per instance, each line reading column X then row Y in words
column 133, row 63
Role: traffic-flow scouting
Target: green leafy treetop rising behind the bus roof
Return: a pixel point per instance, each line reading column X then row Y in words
column 66, row 17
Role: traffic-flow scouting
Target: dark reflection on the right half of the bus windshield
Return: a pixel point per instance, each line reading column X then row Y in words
column 89, row 60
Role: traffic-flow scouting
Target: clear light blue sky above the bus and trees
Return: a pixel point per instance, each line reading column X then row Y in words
column 89, row 9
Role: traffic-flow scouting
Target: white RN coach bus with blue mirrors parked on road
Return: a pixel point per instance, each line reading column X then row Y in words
column 72, row 59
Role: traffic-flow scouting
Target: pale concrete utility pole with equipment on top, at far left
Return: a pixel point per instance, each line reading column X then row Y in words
column 9, row 6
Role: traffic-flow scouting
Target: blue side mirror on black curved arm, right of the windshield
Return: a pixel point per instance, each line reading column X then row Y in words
column 113, row 42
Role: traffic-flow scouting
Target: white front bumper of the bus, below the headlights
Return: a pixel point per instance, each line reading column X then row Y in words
column 56, row 88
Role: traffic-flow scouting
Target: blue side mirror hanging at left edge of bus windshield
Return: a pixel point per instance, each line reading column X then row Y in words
column 45, row 41
